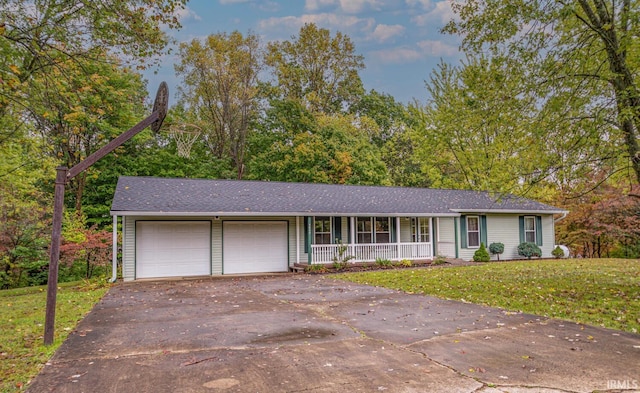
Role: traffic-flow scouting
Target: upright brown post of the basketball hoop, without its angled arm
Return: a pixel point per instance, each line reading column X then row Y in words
column 54, row 254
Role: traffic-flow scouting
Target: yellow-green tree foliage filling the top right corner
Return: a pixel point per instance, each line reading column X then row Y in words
column 547, row 43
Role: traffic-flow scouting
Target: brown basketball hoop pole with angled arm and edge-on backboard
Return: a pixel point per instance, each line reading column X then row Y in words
column 63, row 175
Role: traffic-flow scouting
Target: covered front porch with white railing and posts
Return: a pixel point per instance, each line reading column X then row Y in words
column 368, row 239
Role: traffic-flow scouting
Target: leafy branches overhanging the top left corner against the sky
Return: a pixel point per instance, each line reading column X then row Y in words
column 37, row 37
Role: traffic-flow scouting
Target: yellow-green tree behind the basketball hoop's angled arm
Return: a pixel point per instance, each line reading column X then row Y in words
column 81, row 105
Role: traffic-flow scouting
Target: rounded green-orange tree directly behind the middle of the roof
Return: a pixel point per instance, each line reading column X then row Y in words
column 294, row 145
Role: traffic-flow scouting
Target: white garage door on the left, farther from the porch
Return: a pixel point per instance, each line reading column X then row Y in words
column 173, row 248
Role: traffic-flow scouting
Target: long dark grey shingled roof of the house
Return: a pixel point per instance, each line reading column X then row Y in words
column 171, row 196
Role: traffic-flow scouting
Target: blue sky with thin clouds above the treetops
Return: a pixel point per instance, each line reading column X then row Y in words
column 399, row 39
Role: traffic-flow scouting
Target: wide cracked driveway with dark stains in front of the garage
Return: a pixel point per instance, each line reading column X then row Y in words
column 301, row 333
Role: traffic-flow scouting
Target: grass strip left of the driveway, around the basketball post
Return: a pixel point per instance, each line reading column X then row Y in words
column 22, row 352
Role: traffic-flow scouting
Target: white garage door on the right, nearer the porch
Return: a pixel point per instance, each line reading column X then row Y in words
column 254, row 247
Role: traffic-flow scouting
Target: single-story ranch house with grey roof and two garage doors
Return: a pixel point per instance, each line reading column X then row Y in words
column 195, row 227
